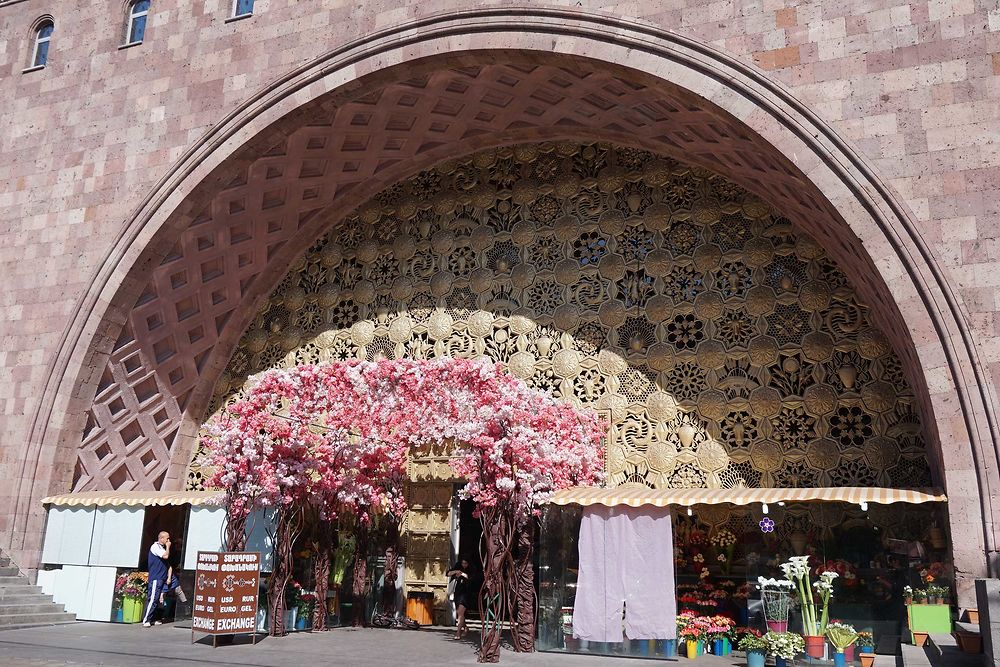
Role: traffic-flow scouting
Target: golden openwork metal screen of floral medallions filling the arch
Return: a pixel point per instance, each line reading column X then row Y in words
column 726, row 347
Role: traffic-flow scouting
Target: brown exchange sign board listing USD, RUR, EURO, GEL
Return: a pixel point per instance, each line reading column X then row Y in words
column 226, row 588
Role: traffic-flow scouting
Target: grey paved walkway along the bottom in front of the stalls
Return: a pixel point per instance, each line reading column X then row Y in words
column 116, row 645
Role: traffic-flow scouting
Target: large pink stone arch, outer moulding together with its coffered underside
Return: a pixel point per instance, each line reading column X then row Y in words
column 108, row 376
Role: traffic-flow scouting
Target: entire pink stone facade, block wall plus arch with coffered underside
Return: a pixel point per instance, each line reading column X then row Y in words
column 154, row 194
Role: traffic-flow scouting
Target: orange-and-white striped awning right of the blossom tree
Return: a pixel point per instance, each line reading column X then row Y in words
column 634, row 496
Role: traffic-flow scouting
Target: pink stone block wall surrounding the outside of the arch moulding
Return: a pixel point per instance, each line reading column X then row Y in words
column 913, row 87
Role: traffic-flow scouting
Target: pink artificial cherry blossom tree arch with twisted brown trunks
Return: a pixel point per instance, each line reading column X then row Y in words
column 286, row 444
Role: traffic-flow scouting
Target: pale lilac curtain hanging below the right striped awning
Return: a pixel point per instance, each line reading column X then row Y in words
column 626, row 567
